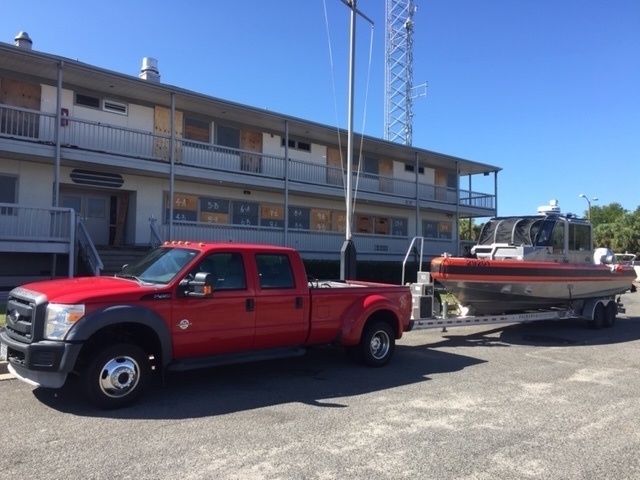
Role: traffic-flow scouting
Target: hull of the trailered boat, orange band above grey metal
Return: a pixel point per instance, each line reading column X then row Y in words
column 506, row 286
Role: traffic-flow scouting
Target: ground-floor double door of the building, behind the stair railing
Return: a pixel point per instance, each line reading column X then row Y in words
column 94, row 209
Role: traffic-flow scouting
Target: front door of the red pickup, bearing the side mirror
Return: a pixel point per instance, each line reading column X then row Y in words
column 223, row 323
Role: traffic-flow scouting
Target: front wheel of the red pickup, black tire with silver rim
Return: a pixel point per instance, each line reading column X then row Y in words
column 116, row 376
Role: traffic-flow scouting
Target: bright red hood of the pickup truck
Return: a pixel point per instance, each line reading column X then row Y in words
column 92, row 289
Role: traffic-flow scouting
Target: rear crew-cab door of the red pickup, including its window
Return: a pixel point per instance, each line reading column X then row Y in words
column 282, row 306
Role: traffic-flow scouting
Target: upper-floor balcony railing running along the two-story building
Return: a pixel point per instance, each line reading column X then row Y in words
column 79, row 134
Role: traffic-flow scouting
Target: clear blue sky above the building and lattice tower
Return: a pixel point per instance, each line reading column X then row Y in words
column 547, row 90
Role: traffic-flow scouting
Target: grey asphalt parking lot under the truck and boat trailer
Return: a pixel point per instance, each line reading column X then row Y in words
column 542, row 400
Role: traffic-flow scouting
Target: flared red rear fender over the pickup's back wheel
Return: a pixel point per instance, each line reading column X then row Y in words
column 356, row 317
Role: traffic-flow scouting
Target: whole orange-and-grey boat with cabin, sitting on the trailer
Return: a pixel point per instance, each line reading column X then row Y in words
column 532, row 262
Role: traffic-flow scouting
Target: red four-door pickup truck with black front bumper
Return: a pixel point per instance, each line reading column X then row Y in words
column 190, row 305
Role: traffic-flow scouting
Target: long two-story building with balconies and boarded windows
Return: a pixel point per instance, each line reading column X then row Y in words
column 91, row 157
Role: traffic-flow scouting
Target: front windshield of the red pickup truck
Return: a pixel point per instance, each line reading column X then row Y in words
column 158, row 266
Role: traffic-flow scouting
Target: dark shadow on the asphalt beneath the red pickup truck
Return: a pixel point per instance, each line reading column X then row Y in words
column 324, row 378
